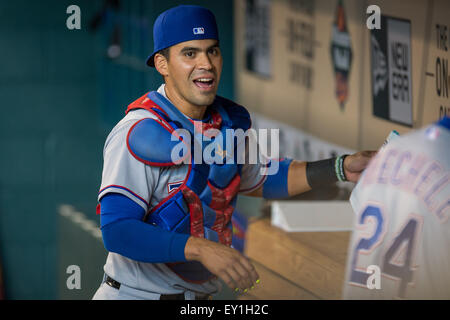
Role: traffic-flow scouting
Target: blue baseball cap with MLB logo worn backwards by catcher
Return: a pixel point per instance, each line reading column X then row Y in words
column 180, row 24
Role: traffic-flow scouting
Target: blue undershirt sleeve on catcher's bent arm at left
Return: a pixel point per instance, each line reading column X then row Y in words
column 125, row 233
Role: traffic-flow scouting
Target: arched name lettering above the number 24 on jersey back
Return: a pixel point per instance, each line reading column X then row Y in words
column 413, row 173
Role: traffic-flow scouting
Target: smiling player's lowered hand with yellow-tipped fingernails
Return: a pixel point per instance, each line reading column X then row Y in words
column 228, row 264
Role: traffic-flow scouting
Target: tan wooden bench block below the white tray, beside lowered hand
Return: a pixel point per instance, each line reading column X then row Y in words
column 296, row 265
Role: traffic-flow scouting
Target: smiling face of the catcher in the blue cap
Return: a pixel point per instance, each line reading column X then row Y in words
column 192, row 73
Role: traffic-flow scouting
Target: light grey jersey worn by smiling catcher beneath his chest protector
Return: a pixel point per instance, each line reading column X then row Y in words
column 147, row 186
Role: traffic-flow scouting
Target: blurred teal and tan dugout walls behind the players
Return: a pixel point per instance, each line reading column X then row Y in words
column 311, row 68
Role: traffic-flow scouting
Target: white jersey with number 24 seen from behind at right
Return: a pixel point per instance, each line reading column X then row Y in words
column 402, row 228
